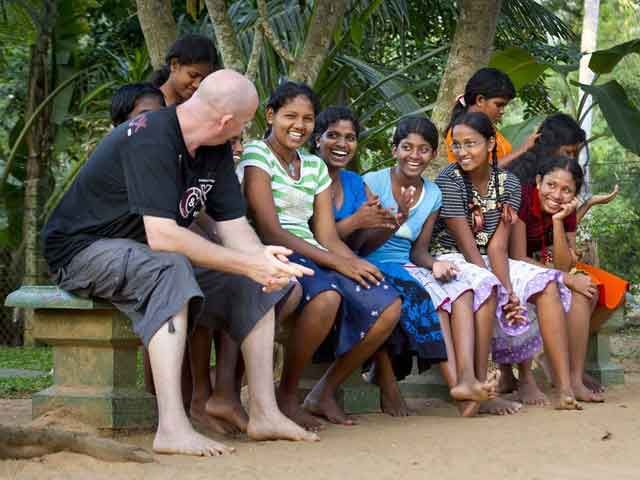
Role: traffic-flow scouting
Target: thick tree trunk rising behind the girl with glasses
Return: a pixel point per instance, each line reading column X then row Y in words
column 470, row 50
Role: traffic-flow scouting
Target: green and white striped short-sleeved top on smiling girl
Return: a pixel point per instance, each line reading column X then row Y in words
column 293, row 198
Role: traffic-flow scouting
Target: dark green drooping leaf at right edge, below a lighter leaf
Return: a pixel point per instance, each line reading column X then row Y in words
column 621, row 115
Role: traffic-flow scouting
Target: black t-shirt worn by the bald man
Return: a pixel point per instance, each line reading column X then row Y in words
column 141, row 168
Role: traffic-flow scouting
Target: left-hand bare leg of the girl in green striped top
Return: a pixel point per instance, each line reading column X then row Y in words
column 311, row 327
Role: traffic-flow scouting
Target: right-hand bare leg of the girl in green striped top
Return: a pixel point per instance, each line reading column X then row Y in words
column 321, row 400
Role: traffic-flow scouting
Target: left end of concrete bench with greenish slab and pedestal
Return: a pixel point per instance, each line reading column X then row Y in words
column 94, row 358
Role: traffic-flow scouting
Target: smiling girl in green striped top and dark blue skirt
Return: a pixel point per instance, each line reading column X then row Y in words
column 286, row 190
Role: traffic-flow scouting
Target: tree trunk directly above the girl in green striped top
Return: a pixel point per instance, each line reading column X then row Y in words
column 326, row 16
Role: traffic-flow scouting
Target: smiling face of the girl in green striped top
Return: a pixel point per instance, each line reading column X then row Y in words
column 292, row 124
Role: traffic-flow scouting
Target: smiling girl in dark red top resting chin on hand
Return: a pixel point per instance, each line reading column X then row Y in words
column 547, row 227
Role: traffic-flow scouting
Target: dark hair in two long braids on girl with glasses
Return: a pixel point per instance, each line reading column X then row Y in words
column 479, row 122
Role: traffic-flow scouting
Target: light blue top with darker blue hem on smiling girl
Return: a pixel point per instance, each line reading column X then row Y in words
column 398, row 248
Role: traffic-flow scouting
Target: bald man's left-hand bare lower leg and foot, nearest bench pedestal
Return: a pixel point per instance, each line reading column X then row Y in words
column 175, row 434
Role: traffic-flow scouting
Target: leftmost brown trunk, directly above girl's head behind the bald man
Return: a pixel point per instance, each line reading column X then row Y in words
column 158, row 27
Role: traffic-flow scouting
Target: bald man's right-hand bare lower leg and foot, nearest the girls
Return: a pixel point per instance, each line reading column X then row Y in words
column 266, row 422
